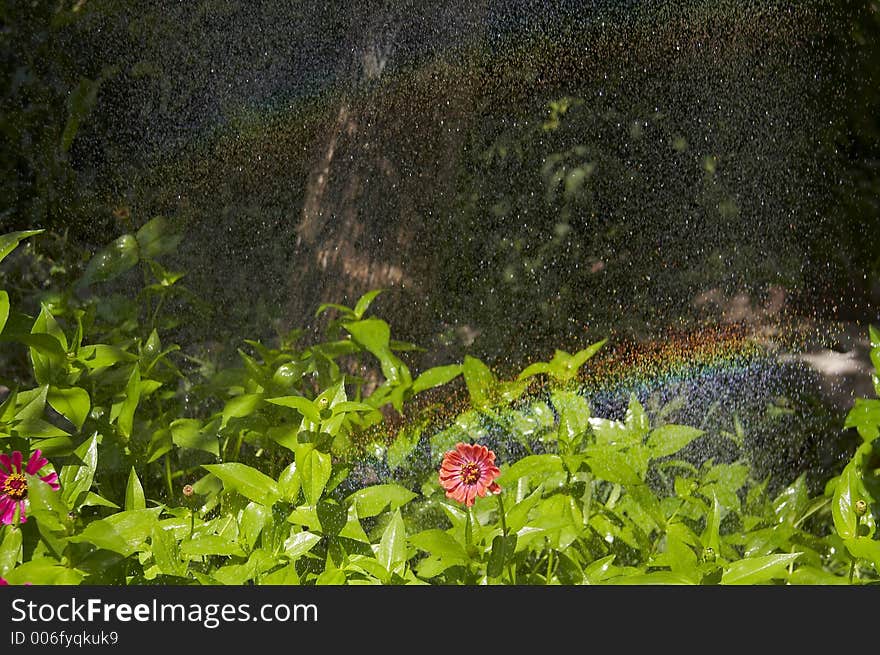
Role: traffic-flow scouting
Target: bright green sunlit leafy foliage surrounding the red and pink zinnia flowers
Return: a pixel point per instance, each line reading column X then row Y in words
column 267, row 447
